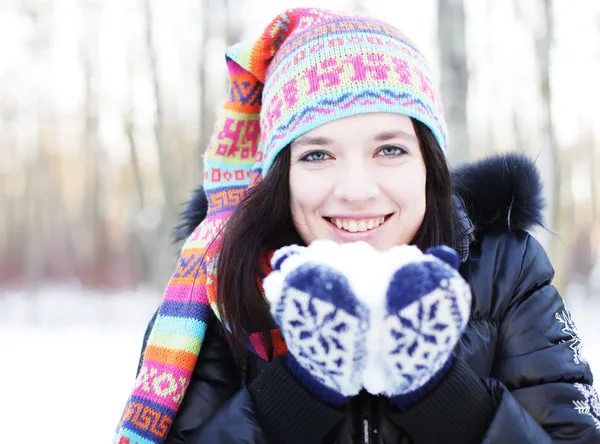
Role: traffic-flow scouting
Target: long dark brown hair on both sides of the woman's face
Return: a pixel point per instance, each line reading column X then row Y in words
column 263, row 222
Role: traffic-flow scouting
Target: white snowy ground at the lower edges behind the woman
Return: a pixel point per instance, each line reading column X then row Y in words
column 68, row 361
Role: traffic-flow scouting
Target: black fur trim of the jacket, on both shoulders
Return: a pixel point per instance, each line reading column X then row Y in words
column 501, row 193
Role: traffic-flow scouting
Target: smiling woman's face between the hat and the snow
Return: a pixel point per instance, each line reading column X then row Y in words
column 359, row 178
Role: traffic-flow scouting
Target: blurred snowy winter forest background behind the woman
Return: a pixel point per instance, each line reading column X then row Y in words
column 106, row 107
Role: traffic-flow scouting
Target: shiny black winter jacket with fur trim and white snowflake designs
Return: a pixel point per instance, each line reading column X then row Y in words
column 518, row 376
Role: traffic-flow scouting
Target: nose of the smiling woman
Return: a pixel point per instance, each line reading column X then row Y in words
column 356, row 185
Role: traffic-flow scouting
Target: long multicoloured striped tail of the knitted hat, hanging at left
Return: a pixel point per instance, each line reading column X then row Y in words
column 176, row 338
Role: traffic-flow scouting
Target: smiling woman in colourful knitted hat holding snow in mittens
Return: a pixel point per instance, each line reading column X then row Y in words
column 352, row 148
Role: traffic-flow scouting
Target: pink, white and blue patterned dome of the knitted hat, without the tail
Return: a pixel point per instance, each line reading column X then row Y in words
column 339, row 67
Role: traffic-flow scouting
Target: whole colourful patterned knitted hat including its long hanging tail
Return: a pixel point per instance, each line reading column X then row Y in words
column 309, row 67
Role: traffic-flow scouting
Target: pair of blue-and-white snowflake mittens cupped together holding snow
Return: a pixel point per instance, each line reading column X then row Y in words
column 354, row 318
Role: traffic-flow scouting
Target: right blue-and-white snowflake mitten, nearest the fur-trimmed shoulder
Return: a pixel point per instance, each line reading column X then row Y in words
column 427, row 307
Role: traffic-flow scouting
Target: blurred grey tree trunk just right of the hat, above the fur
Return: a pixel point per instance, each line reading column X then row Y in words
column 454, row 76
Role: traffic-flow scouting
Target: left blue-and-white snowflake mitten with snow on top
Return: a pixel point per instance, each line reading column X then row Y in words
column 323, row 322
